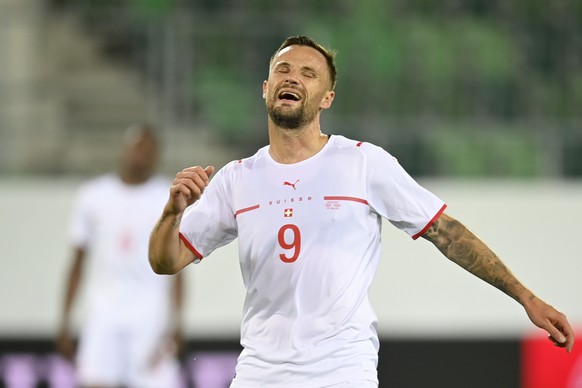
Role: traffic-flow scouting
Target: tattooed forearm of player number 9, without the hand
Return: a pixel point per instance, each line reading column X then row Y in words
column 462, row 247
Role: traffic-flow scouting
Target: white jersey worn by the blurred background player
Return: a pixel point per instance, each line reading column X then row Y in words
column 112, row 221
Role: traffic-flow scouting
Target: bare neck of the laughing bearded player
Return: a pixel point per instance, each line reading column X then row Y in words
column 288, row 146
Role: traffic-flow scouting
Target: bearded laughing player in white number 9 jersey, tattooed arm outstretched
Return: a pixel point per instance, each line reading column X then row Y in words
column 307, row 212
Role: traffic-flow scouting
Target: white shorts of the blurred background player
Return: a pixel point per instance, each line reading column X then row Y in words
column 121, row 357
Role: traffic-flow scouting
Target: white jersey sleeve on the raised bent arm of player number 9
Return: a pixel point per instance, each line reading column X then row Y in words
column 209, row 223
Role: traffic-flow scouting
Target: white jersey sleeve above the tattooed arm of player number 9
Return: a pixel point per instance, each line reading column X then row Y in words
column 396, row 196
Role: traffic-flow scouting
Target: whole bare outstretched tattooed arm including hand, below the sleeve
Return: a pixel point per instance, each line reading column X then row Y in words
column 464, row 248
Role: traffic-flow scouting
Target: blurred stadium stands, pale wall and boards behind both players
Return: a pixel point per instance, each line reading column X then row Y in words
column 479, row 100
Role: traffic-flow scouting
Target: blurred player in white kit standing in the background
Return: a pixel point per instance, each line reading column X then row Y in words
column 131, row 335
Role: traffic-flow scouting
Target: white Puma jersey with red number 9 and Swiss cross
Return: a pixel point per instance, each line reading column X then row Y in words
column 309, row 243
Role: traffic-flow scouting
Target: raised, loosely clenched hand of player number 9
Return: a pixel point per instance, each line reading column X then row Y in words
column 188, row 187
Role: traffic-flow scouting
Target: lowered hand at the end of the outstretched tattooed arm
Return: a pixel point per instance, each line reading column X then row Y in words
column 553, row 322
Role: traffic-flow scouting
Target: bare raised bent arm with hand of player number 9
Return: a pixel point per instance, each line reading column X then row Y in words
column 167, row 253
